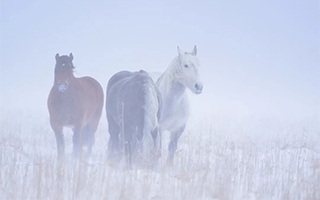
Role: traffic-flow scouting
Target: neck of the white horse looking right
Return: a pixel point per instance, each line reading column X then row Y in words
column 168, row 82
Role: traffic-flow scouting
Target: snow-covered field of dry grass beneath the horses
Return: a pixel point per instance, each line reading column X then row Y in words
column 217, row 159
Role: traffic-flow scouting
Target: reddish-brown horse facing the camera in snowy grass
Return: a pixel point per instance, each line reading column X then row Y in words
column 76, row 103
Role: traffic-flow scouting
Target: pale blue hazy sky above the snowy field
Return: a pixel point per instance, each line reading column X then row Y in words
column 257, row 57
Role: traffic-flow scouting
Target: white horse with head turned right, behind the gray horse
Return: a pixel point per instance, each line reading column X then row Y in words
column 182, row 73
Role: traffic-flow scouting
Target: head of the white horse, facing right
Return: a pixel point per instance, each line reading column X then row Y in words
column 188, row 70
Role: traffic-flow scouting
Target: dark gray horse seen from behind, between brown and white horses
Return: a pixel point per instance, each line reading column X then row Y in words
column 133, row 107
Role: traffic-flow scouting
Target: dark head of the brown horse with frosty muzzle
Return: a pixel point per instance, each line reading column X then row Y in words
column 63, row 72
